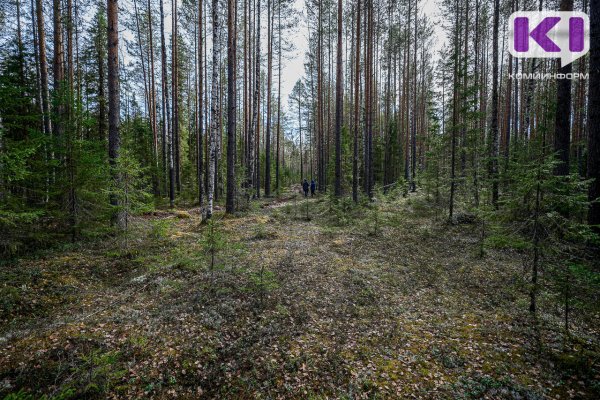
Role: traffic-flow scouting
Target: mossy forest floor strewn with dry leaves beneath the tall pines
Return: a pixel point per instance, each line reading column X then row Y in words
column 384, row 302
